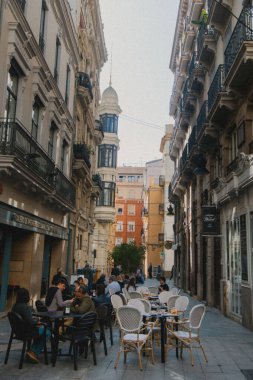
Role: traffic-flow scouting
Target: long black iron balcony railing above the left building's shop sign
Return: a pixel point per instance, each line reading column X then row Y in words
column 15, row 140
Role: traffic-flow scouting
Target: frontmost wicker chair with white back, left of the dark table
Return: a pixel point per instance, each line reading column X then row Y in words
column 133, row 339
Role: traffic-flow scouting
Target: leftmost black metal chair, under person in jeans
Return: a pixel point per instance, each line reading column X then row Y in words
column 21, row 330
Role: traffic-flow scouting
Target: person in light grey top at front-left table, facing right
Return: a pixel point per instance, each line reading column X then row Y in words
column 54, row 300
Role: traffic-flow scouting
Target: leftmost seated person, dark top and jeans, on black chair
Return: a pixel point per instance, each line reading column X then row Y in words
column 22, row 308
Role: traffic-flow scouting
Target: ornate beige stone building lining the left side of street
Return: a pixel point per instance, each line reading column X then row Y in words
column 50, row 63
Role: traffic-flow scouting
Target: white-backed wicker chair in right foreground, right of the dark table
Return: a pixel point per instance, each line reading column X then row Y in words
column 190, row 337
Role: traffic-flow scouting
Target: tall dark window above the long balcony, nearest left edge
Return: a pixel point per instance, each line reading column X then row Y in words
column 11, row 96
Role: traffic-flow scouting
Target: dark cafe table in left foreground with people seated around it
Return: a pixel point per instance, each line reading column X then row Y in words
column 56, row 317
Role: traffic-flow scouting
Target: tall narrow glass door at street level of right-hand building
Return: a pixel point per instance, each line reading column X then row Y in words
column 235, row 266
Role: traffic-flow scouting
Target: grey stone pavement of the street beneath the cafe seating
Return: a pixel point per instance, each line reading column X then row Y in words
column 229, row 349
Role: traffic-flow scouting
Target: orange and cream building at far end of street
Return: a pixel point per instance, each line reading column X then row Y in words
column 129, row 205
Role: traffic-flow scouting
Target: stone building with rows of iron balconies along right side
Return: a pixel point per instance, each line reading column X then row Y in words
column 212, row 151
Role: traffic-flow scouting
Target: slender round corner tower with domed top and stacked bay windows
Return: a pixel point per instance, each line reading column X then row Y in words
column 109, row 111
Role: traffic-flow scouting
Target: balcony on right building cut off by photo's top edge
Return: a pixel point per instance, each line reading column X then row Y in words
column 219, row 15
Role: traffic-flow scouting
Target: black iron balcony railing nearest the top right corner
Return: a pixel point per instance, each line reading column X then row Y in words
column 242, row 32
